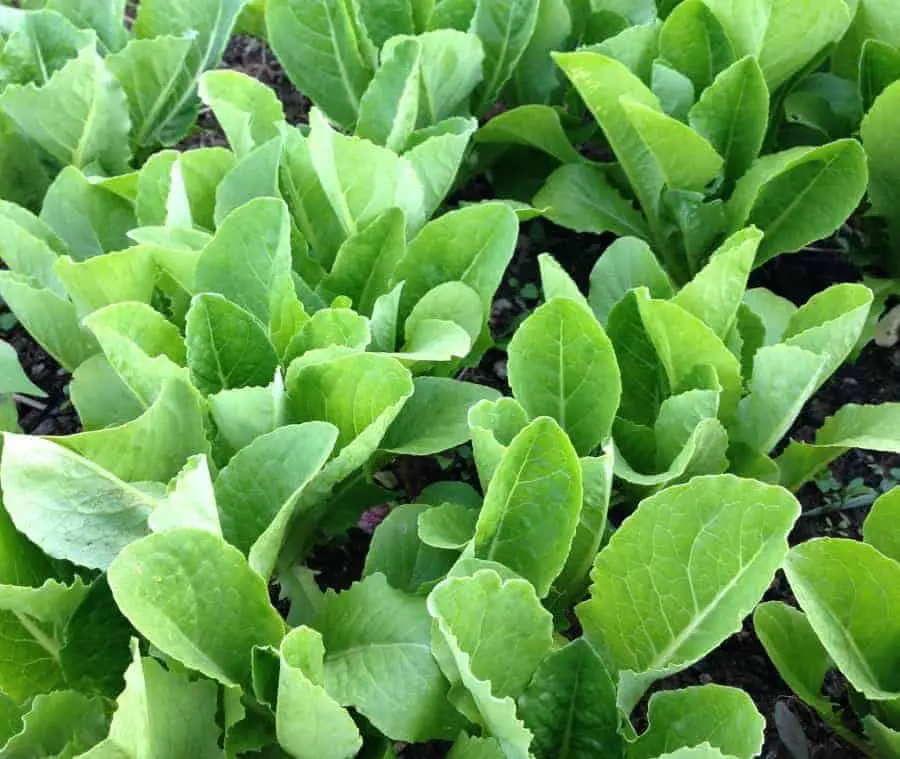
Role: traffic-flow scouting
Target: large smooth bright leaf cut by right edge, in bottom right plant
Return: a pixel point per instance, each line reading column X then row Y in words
column 850, row 593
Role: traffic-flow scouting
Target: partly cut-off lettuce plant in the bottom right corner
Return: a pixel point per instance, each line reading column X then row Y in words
column 847, row 591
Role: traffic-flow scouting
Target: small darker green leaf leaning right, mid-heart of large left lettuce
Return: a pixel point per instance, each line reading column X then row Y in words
column 364, row 264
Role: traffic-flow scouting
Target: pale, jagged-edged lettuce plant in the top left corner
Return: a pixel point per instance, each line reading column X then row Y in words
column 78, row 89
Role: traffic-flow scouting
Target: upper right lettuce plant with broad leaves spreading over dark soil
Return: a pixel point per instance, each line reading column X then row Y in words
column 685, row 106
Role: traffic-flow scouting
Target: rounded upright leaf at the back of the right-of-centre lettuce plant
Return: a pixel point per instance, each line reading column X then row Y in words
column 625, row 265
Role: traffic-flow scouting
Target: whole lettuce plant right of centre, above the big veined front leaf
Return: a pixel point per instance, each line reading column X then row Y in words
column 711, row 376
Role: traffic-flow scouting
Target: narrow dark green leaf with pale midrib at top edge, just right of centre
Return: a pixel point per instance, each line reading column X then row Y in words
column 505, row 28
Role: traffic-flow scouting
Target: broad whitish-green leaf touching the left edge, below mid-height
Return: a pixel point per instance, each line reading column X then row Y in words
column 94, row 514
